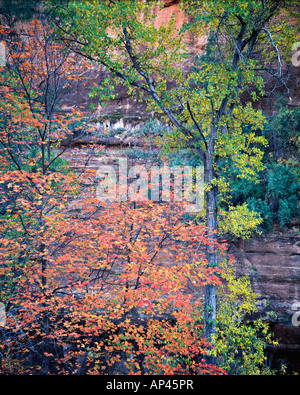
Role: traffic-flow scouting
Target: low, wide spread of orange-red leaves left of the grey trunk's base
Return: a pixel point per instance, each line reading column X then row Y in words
column 117, row 294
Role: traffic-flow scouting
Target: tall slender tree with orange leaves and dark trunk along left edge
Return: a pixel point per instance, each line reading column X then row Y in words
column 34, row 179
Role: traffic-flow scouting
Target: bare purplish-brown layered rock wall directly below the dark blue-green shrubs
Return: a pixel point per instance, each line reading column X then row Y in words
column 273, row 263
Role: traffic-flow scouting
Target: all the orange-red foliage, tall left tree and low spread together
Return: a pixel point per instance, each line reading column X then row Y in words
column 116, row 289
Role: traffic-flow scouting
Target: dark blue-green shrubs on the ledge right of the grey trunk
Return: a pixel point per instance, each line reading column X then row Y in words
column 274, row 194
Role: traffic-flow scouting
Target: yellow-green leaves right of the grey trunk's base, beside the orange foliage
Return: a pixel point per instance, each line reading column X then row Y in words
column 240, row 345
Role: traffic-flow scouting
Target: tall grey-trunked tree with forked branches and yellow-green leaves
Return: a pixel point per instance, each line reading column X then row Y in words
column 205, row 107
